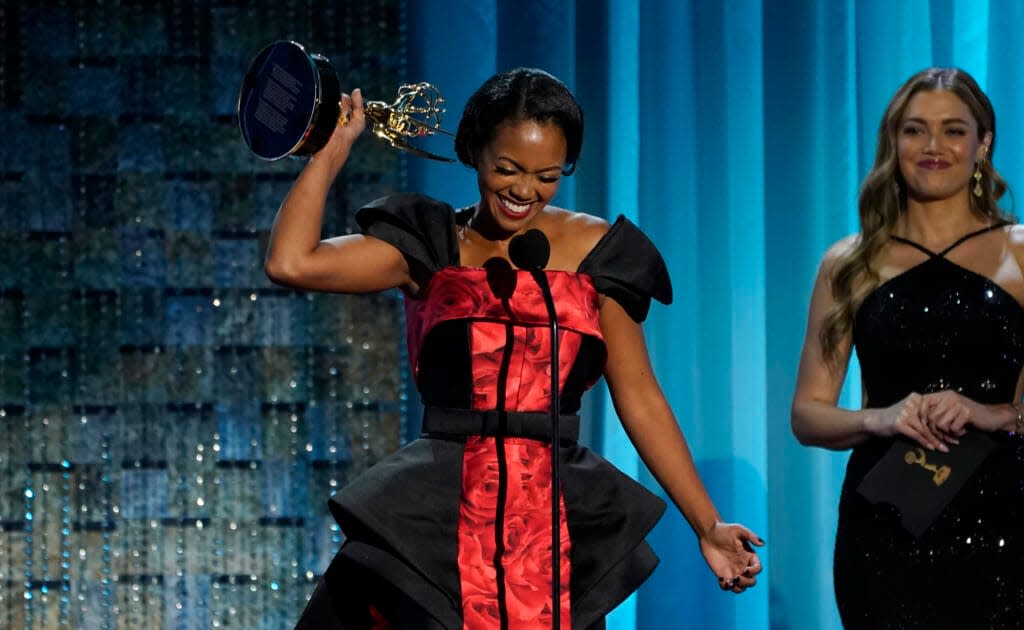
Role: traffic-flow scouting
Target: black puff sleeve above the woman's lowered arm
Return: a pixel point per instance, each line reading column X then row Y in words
column 627, row 268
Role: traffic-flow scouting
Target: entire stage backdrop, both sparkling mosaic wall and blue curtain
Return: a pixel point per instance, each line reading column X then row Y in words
column 170, row 424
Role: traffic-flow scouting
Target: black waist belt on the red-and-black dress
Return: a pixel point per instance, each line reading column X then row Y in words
column 445, row 422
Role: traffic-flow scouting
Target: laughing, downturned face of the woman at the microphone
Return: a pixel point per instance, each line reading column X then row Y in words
column 519, row 173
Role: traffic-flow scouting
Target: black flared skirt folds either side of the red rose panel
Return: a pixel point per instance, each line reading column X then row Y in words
column 401, row 520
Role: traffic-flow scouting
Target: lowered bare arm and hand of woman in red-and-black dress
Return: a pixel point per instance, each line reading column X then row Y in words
column 653, row 429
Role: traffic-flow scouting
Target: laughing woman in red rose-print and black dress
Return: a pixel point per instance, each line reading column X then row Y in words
column 455, row 530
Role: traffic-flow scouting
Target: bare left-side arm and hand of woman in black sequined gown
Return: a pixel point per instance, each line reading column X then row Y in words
column 816, row 417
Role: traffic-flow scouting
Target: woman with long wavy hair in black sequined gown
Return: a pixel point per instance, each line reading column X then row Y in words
column 931, row 520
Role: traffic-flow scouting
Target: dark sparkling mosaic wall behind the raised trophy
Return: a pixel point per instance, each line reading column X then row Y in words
column 172, row 424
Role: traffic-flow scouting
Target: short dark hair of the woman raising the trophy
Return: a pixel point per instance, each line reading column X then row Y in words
column 515, row 96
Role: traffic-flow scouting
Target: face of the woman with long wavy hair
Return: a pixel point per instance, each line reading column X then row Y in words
column 937, row 145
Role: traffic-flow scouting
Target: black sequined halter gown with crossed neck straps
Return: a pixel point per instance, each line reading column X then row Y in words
column 937, row 326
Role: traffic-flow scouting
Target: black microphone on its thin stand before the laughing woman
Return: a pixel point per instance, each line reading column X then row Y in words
column 531, row 251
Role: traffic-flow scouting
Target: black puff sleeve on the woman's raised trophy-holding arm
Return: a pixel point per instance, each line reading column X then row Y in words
column 421, row 228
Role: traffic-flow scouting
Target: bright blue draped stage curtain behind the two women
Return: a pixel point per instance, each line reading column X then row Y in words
column 737, row 136
